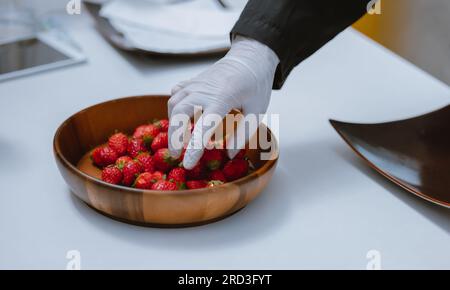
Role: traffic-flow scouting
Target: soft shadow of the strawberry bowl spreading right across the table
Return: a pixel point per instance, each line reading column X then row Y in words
column 303, row 171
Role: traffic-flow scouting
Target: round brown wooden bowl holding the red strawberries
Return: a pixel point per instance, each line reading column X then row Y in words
column 92, row 126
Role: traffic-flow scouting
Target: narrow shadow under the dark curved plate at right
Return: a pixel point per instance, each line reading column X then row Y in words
column 435, row 213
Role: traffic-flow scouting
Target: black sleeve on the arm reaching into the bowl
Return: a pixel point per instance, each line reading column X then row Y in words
column 295, row 29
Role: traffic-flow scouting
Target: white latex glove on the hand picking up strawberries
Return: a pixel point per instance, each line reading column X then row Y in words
column 242, row 80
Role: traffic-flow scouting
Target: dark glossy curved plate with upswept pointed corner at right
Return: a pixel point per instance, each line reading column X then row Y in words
column 413, row 153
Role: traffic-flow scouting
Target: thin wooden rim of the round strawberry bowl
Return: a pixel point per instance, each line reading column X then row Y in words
column 57, row 151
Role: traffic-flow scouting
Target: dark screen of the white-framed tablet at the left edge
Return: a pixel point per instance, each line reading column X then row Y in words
column 26, row 54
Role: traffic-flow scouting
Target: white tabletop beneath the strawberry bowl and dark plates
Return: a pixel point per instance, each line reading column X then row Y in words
column 323, row 209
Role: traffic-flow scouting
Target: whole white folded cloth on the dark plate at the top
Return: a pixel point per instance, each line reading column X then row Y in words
column 173, row 26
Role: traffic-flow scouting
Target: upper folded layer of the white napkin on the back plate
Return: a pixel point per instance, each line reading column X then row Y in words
column 204, row 19
